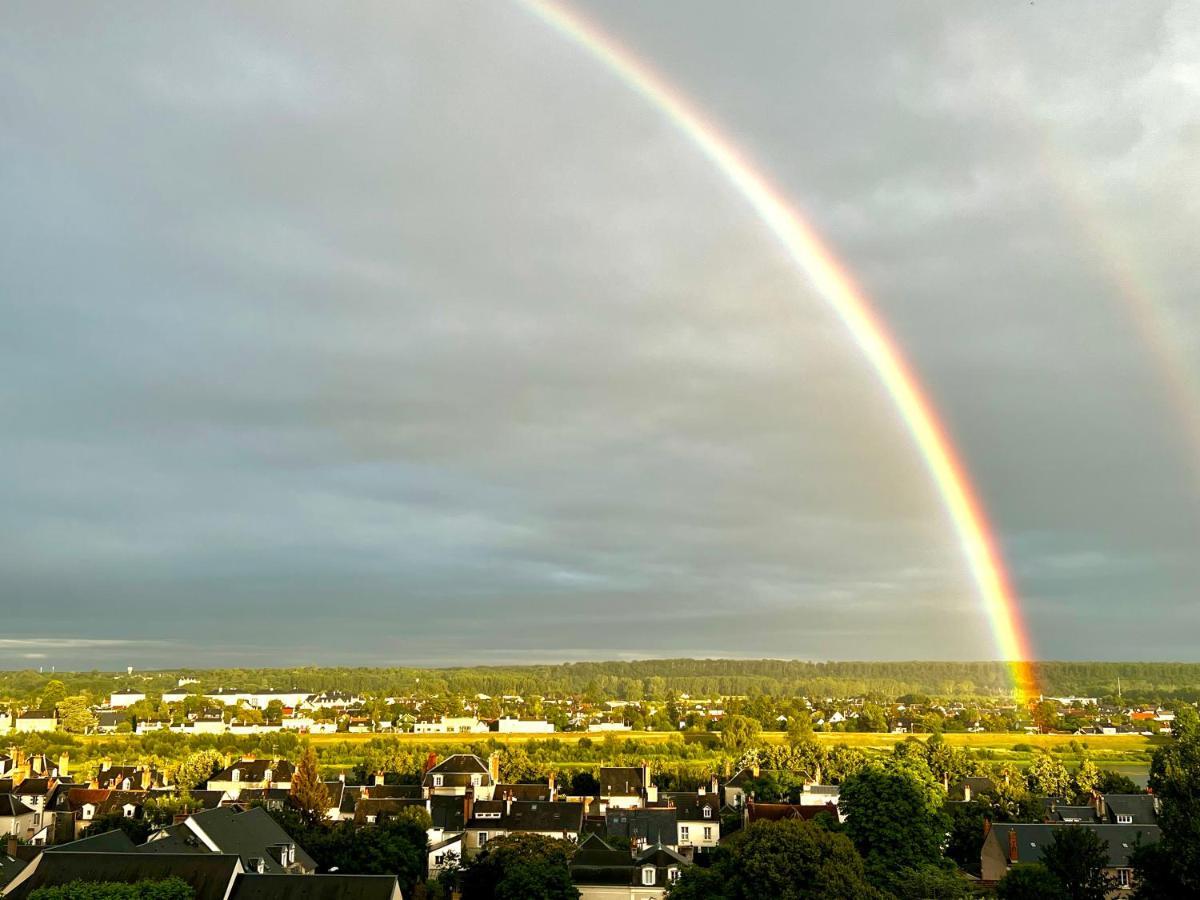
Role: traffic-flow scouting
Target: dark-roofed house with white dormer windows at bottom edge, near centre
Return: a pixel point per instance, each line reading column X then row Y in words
column 602, row 872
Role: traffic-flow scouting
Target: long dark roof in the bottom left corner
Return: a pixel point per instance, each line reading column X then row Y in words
column 209, row 875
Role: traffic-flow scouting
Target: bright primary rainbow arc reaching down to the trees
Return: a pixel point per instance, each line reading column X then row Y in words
column 836, row 286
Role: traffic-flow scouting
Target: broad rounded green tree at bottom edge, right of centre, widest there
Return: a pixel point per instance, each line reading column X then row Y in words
column 782, row 861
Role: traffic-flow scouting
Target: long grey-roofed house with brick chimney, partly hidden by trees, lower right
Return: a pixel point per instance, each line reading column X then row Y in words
column 1009, row 844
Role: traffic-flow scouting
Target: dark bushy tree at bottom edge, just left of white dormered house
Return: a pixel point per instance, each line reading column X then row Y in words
column 520, row 867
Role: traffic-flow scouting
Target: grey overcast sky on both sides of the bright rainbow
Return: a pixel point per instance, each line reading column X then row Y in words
column 407, row 333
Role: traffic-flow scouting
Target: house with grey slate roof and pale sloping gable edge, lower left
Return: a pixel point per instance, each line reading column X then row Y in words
column 253, row 836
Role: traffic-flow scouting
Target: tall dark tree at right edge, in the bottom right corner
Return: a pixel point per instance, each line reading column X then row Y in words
column 1172, row 867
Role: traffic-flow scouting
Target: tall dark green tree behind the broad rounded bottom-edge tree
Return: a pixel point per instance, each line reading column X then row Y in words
column 896, row 825
